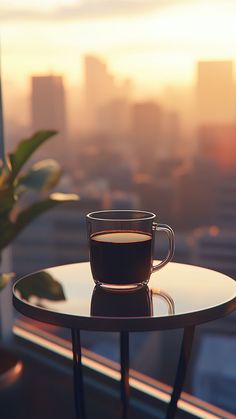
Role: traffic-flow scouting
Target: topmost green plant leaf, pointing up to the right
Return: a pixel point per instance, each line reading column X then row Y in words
column 26, row 148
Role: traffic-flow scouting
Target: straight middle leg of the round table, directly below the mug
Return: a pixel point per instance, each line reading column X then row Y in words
column 124, row 366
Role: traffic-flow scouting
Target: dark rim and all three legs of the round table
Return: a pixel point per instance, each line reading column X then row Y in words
column 124, row 326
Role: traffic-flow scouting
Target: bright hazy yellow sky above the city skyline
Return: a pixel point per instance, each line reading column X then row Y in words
column 156, row 42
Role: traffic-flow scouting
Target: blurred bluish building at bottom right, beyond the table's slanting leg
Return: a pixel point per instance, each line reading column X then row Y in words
column 217, row 348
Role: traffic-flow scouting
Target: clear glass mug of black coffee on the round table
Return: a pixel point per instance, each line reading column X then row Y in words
column 121, row 244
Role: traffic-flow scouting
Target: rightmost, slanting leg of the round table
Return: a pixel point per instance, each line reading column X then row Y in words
column 181, row 371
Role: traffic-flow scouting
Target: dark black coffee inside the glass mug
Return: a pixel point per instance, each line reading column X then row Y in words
column 121, row 257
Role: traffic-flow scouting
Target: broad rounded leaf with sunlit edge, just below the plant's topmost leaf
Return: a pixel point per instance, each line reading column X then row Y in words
column 42, row 176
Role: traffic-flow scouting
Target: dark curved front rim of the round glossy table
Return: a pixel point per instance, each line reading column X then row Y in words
column 117, row 324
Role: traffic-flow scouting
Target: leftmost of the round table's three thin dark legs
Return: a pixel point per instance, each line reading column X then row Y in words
column 78, row 375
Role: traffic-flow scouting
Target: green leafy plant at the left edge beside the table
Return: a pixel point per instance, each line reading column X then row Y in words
column 15, row 184
